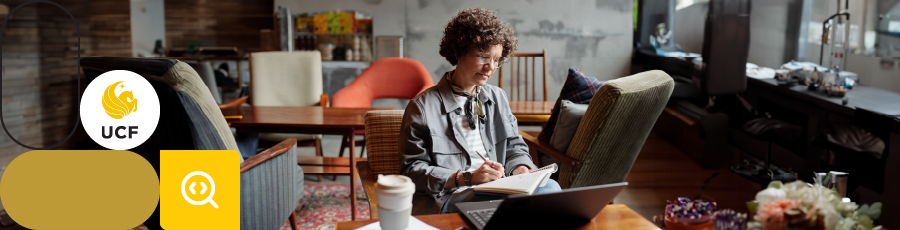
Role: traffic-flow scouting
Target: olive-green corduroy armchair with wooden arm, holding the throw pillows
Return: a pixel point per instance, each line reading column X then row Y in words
column 612, row 130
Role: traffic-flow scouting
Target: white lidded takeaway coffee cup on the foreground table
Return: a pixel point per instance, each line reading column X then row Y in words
column 394, row 201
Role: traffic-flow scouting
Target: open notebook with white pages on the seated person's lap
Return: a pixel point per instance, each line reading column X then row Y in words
column 519, row 184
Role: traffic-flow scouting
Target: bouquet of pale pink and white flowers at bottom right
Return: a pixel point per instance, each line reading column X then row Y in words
column 798, row 205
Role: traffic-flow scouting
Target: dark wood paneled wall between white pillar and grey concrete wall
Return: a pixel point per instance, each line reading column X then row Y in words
column 234, row 23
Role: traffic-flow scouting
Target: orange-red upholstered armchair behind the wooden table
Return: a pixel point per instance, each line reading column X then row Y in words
column 399, row 78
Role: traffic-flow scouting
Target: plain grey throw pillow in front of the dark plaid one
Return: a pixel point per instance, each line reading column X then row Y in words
column 569, row 117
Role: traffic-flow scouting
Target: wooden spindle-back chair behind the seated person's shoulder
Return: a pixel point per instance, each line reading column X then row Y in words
column 517, row 80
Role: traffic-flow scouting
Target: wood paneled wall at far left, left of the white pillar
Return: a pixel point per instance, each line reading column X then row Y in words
column 40, row 67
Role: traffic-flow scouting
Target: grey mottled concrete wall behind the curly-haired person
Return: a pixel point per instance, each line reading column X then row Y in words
column 592, row 35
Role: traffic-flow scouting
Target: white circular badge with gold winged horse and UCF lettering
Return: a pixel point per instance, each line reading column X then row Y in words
column 119, row 110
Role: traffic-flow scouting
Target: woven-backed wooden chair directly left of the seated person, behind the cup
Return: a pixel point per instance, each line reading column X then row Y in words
column 382, row 136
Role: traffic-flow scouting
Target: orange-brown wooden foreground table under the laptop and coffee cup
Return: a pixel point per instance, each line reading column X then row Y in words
column 614, row 216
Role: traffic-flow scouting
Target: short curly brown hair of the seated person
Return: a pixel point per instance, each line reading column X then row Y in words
column 476, row 28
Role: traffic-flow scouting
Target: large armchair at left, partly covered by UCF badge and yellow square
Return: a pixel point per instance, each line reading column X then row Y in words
column 186, row 102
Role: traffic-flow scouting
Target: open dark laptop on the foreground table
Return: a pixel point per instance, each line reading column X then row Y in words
column 562, row 210
